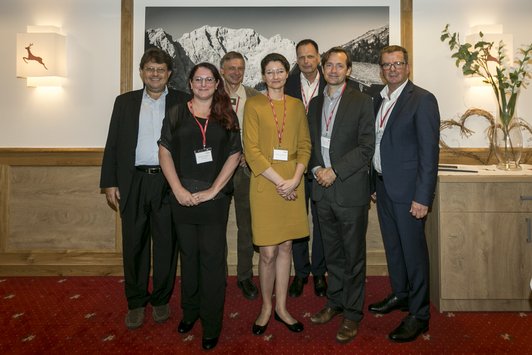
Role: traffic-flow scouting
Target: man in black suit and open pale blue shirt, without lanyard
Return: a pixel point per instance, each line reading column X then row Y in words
column 133, row 183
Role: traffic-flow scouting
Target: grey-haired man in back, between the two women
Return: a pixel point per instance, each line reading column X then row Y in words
column 232, row 67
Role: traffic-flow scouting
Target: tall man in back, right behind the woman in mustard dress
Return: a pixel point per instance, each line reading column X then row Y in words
column 306, row 82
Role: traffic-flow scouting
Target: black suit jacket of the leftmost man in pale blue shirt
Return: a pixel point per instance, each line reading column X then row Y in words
column 118, row 165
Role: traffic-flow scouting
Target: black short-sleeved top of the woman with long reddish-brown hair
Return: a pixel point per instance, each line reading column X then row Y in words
column 182, row 137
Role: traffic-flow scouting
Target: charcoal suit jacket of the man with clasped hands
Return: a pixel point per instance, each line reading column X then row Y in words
column 351, row 147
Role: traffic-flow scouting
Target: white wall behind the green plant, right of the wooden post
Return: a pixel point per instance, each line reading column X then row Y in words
column 435, row 70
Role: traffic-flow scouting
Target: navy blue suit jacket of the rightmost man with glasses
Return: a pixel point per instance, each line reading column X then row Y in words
column 410, row 146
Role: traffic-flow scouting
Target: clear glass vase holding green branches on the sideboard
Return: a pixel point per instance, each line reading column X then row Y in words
column 508, row 144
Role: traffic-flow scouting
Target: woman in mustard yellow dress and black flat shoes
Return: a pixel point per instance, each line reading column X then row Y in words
column 277, row 149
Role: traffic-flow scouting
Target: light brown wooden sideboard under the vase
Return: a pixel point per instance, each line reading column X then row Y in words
column 480, row 242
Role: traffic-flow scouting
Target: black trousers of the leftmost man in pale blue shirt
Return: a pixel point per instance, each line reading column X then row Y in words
column 146, row 218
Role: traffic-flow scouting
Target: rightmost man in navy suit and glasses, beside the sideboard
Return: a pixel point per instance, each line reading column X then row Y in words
column 406, row 168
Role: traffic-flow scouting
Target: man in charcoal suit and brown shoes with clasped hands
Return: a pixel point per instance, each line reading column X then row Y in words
column 343, row 140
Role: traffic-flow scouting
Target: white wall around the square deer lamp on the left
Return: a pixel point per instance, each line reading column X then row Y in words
column 76, row 115
